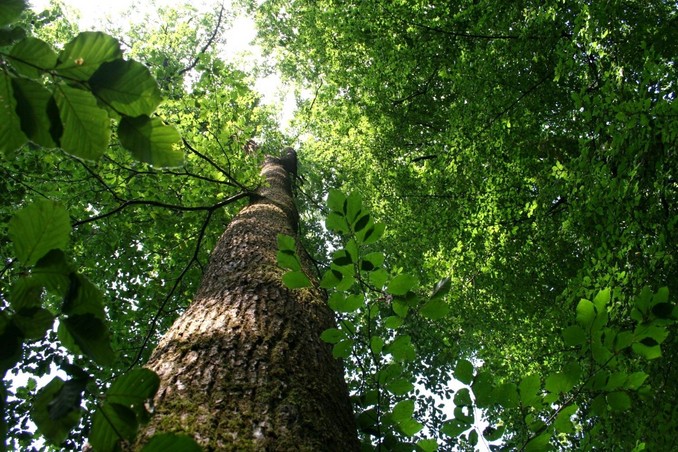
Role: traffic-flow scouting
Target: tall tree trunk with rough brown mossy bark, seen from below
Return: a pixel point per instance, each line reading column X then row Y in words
column 243, row 368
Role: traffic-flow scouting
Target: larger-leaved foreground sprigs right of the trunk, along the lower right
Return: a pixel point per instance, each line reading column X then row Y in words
column 596, row 377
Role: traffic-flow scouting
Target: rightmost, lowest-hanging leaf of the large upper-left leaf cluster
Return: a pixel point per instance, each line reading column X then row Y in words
column 151, row 141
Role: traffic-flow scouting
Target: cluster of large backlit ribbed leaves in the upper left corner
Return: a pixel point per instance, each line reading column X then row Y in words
column 92, row 84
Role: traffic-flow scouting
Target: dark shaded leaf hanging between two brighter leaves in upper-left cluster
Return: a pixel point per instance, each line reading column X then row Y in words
column 35, row 112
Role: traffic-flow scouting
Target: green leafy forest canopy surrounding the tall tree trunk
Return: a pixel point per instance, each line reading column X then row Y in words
column 489, row 192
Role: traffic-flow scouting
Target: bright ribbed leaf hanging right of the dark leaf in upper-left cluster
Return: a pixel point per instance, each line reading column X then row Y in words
column 86, row 127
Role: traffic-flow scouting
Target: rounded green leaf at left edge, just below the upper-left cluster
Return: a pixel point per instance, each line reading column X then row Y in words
column 37, row 229
